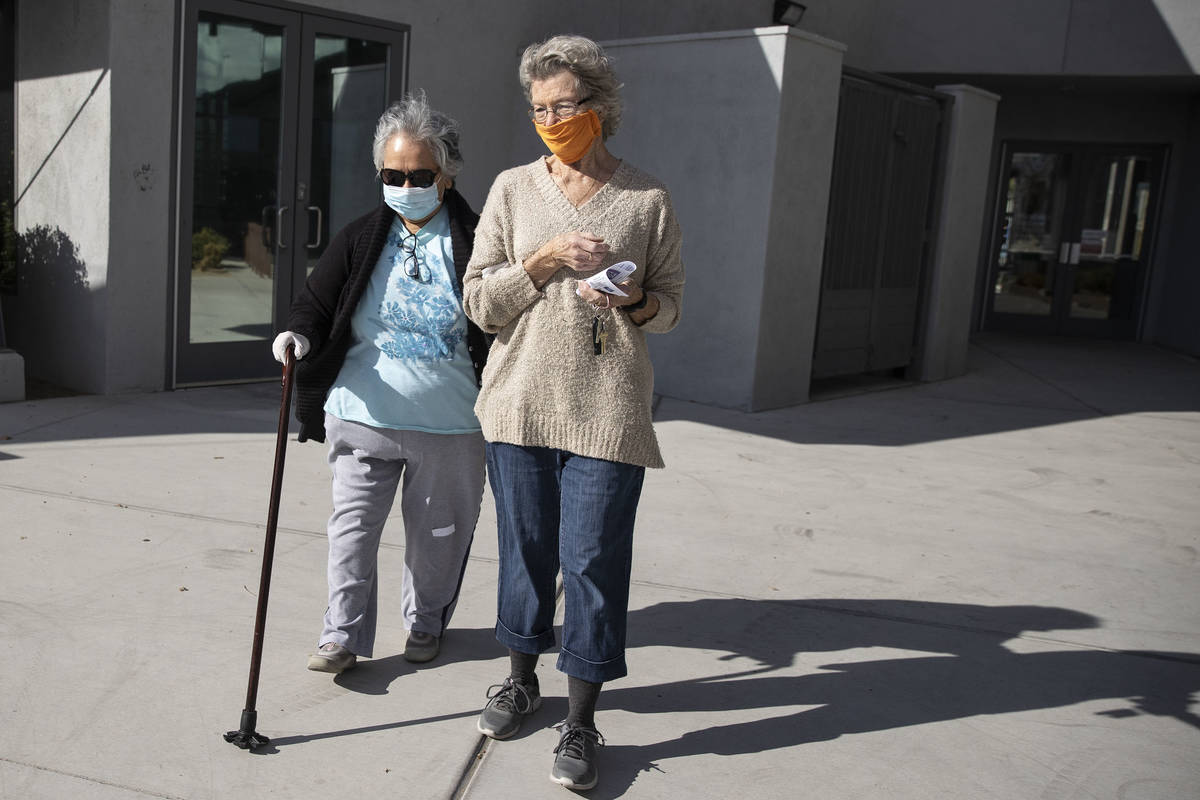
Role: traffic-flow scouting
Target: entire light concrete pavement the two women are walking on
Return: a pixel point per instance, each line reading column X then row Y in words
column 982, row 588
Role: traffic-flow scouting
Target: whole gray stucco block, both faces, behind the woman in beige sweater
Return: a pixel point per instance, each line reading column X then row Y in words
column 740, row 125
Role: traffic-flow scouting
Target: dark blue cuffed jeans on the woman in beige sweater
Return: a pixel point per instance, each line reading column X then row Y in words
column 560, row 512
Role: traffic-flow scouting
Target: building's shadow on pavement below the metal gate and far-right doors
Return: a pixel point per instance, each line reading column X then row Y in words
column 1013, row 383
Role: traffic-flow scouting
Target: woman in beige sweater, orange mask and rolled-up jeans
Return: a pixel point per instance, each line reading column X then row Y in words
column 566, row 398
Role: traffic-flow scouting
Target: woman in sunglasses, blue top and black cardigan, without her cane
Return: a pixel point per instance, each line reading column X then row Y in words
column 389, row 372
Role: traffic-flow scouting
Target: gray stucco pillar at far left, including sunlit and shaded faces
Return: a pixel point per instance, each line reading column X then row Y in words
column 94, row 153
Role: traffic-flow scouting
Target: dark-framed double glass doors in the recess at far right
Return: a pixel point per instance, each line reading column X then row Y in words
column 1072, row 239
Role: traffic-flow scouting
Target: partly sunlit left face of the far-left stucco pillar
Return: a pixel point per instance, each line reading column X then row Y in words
column 58, row 320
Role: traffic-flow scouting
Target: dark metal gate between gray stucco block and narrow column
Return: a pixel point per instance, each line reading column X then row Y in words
column 883, row 218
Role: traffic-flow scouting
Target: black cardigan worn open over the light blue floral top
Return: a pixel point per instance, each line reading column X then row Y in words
column 323, row 310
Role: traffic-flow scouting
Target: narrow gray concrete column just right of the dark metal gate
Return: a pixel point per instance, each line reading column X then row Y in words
column 961, row 236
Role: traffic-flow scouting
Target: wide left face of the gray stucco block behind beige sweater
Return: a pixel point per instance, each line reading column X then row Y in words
column 724, row 215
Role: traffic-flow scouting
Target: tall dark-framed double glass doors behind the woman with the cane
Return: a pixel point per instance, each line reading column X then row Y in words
column 279, row 110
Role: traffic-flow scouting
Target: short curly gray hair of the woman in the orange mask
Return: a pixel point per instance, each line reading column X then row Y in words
column 591, row 67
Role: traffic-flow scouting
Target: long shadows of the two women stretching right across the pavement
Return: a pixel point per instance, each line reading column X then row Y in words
column 969, row 673
